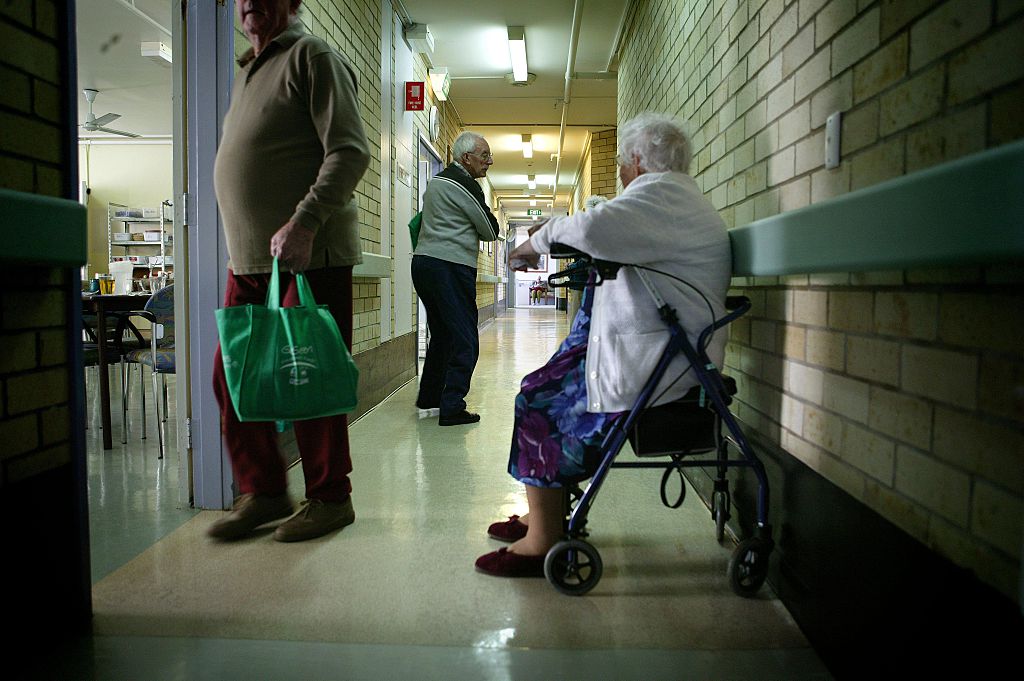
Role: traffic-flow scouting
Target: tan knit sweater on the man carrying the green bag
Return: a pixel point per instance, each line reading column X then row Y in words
column 293, row 148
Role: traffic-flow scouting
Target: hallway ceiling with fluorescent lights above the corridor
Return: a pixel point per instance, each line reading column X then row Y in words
column 472, row 41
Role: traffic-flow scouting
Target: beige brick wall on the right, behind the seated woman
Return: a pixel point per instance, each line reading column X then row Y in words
column 902, row 388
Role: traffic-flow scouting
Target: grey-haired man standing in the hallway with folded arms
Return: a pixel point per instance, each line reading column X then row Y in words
column 456, row 219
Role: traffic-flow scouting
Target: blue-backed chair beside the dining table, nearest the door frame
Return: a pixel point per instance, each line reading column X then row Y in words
column 159, row 357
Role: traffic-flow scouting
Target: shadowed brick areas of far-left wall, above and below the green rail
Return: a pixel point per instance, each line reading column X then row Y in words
column 35, row 419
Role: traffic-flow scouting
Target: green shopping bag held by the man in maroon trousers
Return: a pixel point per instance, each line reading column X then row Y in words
column 286, row 364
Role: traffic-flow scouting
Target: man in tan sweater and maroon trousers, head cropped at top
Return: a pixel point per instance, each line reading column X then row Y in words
column 292, row 153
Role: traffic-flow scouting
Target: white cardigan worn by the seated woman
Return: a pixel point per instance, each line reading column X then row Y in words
column 663, row 222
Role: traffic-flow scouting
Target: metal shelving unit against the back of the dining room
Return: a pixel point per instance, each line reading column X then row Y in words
column 156, row 257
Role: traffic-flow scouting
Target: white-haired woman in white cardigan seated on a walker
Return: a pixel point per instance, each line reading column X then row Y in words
column 564, row 411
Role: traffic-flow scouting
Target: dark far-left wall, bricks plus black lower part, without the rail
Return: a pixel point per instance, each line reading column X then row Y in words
column 47, row 567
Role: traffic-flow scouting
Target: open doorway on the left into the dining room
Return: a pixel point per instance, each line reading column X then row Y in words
column 131, row 63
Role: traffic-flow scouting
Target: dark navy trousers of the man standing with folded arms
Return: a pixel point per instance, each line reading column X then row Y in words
column 448, row 291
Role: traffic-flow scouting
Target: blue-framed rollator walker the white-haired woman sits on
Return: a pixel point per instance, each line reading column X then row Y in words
column 699, row 423
